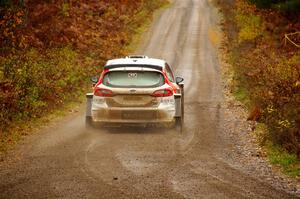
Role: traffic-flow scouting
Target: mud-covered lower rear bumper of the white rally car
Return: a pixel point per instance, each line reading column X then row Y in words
column 134, row 115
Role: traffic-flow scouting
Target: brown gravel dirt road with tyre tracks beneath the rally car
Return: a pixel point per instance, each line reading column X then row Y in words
column 68, row 161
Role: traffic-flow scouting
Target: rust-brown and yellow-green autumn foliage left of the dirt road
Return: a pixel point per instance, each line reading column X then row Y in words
column 50, row 48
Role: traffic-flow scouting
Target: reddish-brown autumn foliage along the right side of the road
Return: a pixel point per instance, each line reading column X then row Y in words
column 270, row 83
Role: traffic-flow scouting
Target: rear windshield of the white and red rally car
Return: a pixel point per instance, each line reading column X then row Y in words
column 127, row 79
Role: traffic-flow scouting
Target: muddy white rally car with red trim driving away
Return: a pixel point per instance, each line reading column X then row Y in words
column 136, row 90
